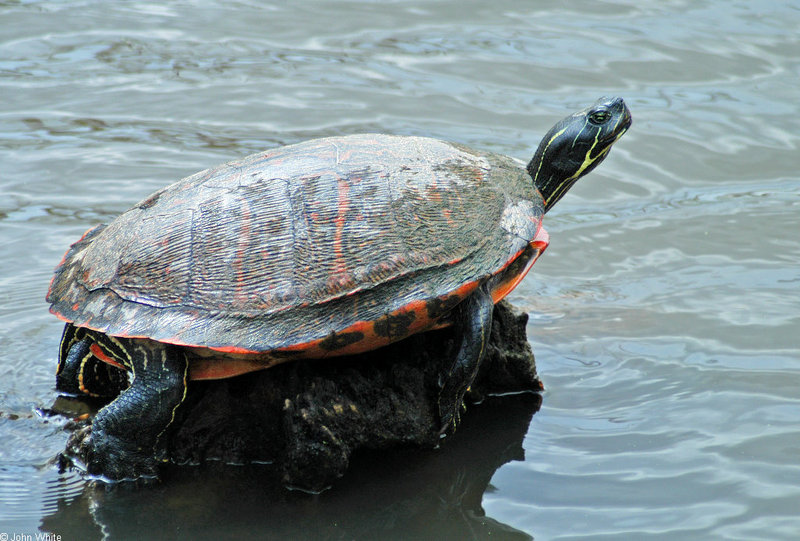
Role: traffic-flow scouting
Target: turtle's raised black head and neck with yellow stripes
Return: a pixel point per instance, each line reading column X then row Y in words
column 575, row 146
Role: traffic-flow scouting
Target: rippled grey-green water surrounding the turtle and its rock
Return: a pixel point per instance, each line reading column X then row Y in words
column 664, row 315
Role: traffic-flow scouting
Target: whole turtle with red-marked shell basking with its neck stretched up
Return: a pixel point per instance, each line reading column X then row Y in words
column 315, row 250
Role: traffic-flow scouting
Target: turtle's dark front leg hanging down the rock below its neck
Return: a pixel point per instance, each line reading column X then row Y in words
column 474, row 323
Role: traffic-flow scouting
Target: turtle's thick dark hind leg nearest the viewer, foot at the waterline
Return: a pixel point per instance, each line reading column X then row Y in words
column 128, row 436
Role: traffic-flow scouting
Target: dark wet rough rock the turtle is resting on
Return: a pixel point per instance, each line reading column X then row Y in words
column 309, row 417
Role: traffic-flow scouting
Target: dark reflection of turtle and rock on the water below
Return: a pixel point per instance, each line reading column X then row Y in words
column 408, row 494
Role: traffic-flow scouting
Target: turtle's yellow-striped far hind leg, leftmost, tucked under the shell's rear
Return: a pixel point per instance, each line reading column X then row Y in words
column 81, row 373
